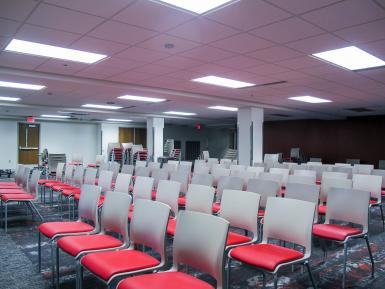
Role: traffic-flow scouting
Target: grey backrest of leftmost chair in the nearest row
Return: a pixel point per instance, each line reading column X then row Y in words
column 88, row 203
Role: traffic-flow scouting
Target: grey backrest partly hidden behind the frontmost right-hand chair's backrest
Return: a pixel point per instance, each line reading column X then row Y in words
column 304, row 192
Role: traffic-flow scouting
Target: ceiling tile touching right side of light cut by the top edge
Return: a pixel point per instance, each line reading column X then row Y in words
column 248, row 14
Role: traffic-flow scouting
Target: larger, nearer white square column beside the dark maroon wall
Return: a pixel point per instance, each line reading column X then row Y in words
column 250, row 135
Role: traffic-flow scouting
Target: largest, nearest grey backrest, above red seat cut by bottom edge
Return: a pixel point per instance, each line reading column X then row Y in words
column 199, row 242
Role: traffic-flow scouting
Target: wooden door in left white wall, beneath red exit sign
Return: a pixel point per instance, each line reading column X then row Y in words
column 29, row 141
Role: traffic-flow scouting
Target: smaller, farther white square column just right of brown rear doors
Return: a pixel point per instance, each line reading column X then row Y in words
column 155, row 127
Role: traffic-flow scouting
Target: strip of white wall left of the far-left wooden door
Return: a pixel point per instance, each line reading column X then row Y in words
column 8, row 144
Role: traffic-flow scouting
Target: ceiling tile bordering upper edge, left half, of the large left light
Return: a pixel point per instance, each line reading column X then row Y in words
column 45, row 35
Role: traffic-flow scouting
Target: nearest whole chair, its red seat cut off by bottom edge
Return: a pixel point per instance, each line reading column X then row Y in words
column 199, row 242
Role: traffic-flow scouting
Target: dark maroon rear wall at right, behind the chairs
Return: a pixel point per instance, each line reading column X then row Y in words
column 333, row 141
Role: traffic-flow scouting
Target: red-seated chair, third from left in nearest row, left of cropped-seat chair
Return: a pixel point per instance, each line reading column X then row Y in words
column 147, row 230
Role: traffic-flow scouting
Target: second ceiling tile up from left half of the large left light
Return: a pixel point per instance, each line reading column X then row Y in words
column 63, row 19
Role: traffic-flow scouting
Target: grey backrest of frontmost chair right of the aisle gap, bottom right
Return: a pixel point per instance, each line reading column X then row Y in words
column 296, row 225
